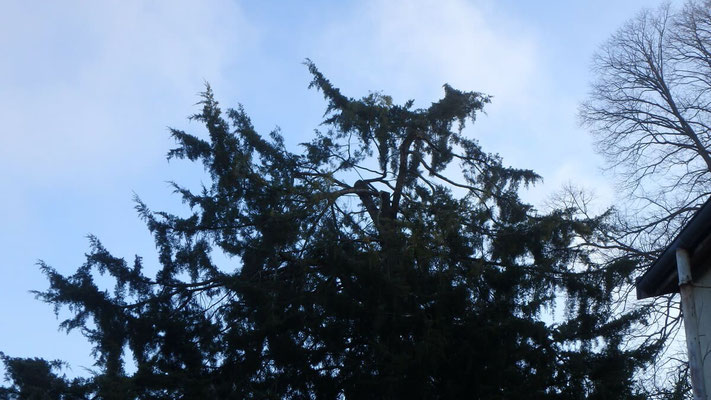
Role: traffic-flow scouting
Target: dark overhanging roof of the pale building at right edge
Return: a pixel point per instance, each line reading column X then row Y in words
column 661, row 278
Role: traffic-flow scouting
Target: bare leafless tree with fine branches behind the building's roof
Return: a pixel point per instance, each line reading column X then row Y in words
column 650, row 113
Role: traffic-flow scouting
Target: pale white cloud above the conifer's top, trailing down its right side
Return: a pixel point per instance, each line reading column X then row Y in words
column 409, row 49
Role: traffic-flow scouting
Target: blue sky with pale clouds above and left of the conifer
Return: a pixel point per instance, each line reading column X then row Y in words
column 88, row 90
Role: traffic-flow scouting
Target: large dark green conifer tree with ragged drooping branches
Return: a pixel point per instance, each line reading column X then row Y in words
column 392, row 259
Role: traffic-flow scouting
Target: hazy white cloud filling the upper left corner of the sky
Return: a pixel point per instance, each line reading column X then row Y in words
column 88, row 87
